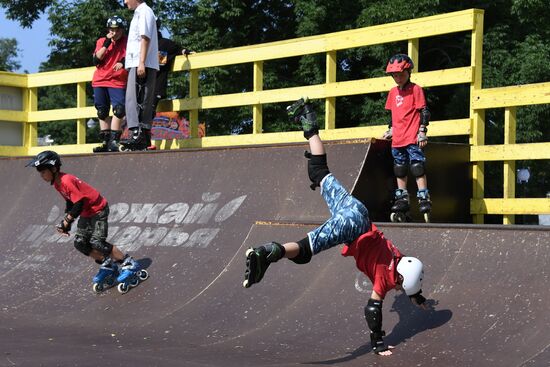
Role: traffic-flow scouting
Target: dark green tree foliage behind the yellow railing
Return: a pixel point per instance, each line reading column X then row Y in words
column 515, row 51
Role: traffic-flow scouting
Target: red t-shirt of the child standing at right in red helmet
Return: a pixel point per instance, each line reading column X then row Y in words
column 404, row 105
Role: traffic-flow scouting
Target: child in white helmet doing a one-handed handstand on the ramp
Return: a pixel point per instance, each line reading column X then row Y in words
column 349, row 225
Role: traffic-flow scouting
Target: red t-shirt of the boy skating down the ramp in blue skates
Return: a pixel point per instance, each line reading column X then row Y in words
column 74, row 189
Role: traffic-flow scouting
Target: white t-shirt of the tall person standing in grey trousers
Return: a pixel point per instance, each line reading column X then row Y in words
column 143, row 24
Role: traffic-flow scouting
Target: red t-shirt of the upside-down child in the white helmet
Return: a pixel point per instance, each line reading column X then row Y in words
column 377, row 257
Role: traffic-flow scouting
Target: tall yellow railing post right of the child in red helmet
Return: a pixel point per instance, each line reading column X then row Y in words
column 477, row 136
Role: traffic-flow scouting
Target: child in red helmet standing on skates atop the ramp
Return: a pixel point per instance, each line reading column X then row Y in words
column 407, row 129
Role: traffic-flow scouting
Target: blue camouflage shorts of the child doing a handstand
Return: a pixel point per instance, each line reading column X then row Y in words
column 349, row 217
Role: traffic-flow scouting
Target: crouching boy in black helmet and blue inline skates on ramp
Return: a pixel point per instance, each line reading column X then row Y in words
column 85, row 202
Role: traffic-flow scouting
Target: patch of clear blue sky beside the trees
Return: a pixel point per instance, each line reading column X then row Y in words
column 32, row 43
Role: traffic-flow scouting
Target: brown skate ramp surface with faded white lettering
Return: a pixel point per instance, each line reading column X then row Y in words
column 189, row 216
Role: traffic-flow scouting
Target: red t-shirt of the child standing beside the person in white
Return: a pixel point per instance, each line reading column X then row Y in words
column 104, row 75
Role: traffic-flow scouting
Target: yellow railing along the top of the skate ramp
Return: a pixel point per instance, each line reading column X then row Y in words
column 409, row 31
